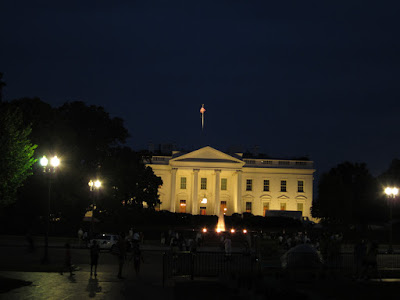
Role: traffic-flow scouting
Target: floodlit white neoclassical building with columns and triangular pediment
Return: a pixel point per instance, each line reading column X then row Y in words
column 209, row 182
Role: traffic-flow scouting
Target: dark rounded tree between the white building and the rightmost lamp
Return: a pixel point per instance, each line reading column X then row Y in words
column 347, row 194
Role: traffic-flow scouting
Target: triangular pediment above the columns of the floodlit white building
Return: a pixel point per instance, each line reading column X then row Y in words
column 207, row 155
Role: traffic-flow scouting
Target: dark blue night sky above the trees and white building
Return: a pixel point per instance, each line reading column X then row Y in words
column 296, row 78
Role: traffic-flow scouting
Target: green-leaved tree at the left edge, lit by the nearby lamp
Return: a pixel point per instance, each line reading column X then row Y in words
column 16, row 153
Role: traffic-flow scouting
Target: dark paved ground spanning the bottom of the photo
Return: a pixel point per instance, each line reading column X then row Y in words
column 22, row 276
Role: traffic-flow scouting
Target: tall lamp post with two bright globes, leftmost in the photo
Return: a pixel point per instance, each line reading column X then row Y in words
column 48, row 168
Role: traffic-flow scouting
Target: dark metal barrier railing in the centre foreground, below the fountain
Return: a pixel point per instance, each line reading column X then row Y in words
column 206, row 264
